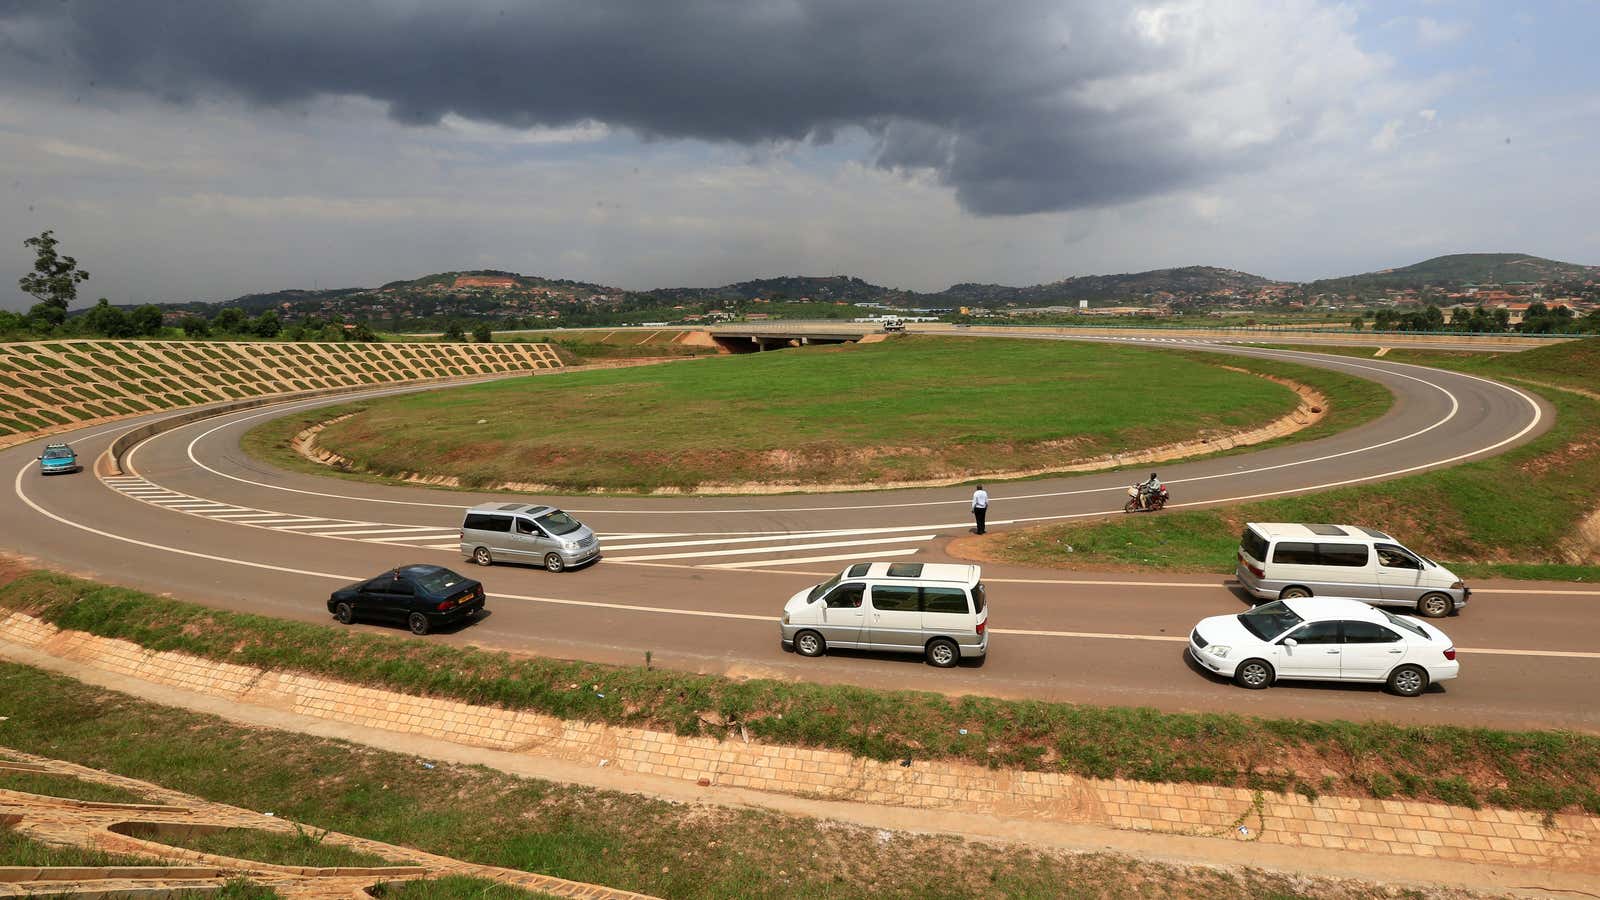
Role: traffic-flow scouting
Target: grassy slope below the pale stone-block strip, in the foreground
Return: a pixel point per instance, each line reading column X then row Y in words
column 578, row 834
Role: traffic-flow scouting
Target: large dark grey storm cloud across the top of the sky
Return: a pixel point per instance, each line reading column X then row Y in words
column 991, row 97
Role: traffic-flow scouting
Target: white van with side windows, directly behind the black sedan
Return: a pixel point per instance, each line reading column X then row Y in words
column 905, row 608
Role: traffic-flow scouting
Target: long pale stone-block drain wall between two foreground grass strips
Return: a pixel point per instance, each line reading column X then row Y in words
column 1345, row 824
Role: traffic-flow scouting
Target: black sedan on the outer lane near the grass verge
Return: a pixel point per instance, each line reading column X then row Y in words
column 420, row 597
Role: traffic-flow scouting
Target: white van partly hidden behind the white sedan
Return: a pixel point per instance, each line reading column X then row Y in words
column 1286, row 561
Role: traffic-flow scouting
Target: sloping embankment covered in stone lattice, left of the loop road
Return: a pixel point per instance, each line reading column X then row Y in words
column 49, row 387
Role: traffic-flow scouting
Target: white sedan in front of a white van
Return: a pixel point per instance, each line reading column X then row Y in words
column 1324, row 640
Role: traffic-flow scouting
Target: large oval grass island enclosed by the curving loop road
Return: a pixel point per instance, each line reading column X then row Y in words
column 913, row 409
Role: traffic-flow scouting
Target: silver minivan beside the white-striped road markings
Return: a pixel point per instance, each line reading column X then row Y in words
column 527, row 532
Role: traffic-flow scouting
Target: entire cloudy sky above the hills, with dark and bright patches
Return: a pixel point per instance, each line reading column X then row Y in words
column 201, row 150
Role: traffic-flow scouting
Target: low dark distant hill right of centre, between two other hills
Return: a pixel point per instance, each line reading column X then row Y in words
column 1110, row 289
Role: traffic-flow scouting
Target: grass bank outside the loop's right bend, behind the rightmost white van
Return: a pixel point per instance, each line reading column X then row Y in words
column 1511, row 516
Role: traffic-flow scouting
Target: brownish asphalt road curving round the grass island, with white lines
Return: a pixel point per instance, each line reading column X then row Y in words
column 698, row 582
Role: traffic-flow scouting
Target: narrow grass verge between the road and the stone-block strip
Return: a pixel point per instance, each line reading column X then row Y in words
column 1542, row 771
